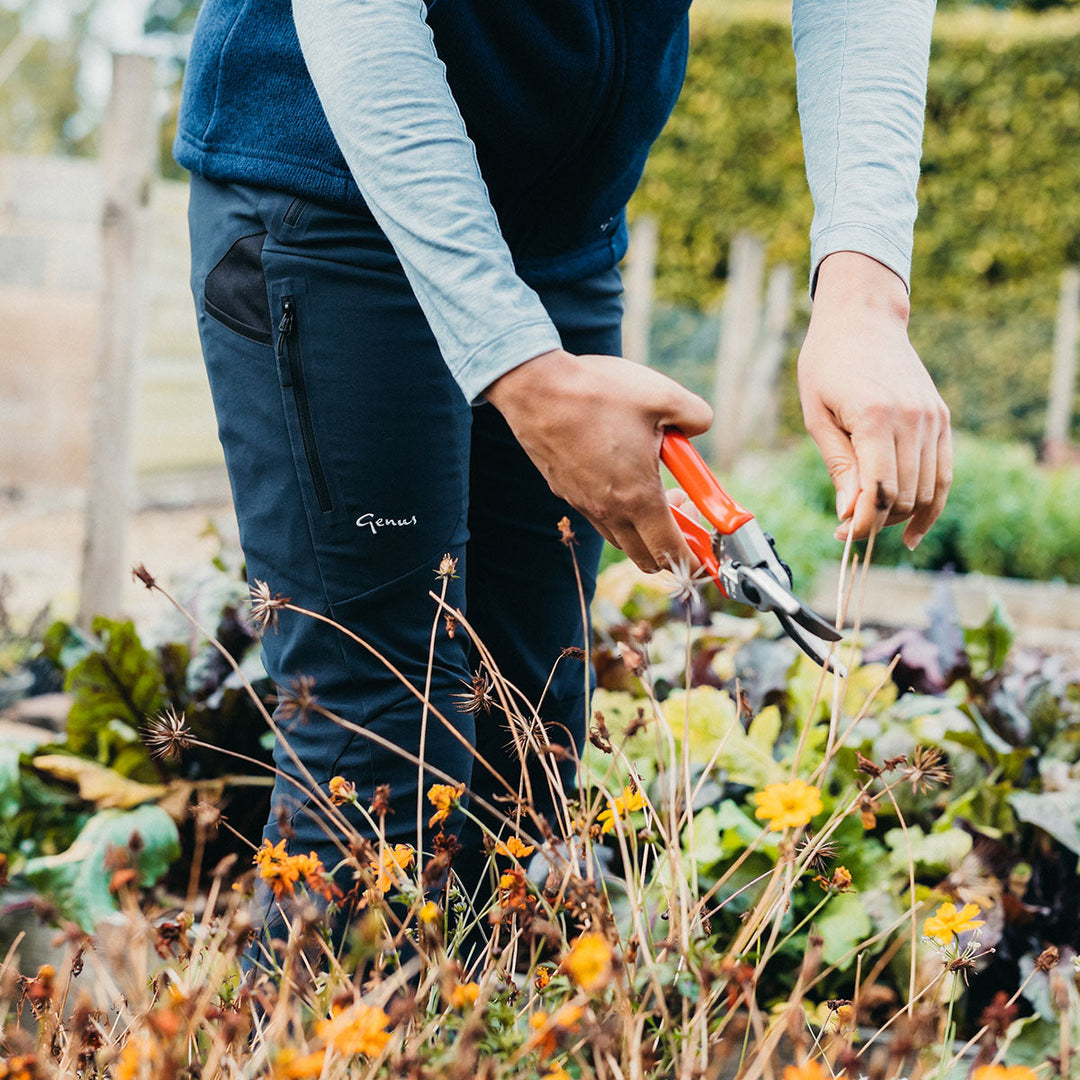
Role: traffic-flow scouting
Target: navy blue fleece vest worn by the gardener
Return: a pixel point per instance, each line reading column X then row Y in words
column 563, row 100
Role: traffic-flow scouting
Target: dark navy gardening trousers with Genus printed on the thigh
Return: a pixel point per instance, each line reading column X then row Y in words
column 357, row 465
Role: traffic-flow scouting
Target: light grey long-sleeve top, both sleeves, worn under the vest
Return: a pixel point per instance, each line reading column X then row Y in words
column 862, row 73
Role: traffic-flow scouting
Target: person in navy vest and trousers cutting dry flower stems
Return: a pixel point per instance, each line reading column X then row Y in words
column 407, row 223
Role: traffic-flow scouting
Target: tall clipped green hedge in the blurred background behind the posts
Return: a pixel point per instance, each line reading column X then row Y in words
column 1000, row 211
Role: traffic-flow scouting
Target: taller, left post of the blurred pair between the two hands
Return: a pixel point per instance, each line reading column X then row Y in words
column 740, row 327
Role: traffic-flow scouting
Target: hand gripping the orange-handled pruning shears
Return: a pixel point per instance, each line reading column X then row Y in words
column 593, row 427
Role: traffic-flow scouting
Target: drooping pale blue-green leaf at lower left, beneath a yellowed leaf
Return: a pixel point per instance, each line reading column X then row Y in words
column 77, row 881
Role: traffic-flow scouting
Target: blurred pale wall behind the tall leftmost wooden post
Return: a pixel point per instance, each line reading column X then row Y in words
column 50, row 278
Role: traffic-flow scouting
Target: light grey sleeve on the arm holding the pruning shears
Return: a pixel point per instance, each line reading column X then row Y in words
column 386, row 97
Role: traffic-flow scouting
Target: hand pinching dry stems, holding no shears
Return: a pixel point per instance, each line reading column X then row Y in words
column 871, row 406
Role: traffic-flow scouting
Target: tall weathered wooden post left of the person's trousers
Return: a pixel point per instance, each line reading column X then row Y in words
column 128, row 151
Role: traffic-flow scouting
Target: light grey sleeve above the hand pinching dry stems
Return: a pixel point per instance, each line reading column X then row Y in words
column 862, row 77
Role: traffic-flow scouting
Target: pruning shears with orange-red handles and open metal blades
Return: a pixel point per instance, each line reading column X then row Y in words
column 740, row 557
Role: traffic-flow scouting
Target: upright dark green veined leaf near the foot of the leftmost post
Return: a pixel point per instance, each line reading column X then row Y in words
column 120, row 681
